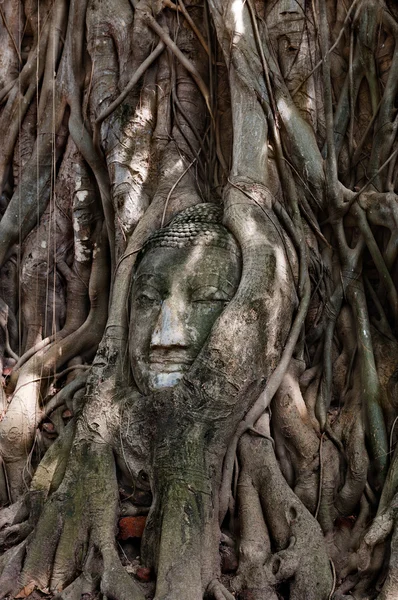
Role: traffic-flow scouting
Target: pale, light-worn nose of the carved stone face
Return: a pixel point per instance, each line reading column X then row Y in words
column 170, row 329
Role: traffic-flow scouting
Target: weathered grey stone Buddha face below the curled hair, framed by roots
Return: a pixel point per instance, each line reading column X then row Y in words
column 177, row 295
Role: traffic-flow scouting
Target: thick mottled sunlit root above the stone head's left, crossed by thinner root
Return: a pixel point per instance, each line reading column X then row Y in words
column 126, row 133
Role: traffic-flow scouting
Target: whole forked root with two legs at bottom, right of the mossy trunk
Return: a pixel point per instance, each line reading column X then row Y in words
column 300, row 553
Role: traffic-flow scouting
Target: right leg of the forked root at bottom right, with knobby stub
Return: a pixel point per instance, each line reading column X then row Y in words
column 297, row 538
